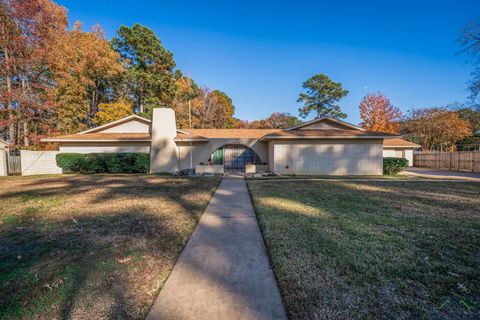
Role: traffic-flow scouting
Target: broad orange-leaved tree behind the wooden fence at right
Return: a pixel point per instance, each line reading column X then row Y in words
column 435, row 128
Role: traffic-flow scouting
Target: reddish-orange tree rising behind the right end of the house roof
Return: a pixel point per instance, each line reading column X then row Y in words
column 378, row 114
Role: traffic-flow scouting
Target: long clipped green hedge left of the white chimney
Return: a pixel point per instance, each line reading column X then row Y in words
column 104, row 162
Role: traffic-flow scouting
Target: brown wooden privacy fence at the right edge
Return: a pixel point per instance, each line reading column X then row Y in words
column 458, row 161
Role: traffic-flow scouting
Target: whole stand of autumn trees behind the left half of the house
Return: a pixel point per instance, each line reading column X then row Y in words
column 59, row 81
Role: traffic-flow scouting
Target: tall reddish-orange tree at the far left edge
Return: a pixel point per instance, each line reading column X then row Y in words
column 28, row 30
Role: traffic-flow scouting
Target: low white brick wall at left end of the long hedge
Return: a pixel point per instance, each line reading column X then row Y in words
column 39, row 162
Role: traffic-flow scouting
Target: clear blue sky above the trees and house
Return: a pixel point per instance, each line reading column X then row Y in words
column 260, row 52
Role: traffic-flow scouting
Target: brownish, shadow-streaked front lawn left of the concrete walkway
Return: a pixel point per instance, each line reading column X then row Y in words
column 98, row 246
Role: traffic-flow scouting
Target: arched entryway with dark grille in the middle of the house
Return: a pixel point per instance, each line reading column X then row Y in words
column 234, row 157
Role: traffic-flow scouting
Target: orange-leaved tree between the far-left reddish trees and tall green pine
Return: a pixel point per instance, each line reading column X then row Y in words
column 83, row 64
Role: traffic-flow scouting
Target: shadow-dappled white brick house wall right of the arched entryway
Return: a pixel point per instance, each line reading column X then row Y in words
column 364, row 157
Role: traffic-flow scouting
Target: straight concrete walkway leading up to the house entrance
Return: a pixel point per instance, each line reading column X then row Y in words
column 224, row 271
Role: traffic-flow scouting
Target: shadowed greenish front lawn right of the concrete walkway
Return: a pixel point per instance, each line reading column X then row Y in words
column 373, row 249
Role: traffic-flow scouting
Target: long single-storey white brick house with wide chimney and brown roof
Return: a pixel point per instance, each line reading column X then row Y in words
column 322, row 146
